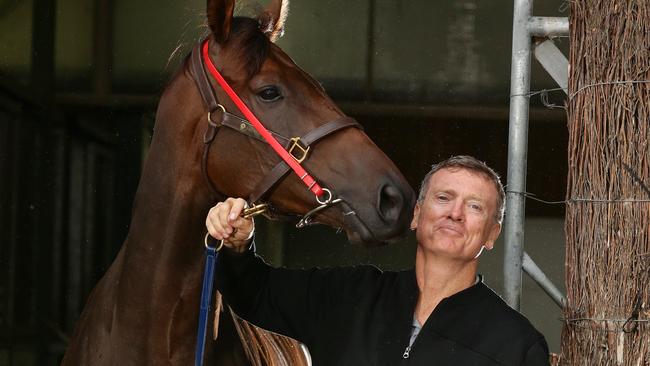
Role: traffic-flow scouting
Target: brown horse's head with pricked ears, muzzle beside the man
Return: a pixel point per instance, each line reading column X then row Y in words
column 375, row 200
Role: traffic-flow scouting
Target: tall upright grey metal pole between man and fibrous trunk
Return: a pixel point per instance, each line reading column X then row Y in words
column 517, row 151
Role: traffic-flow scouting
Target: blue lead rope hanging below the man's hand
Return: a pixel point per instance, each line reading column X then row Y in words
column 211, row 255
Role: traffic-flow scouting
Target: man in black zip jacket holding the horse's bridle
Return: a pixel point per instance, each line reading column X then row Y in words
column 439, row 313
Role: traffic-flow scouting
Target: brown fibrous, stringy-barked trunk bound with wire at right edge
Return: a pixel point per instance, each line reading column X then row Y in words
column 608, row 192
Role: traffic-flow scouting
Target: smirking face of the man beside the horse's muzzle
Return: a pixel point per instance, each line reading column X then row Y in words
column 457, row 215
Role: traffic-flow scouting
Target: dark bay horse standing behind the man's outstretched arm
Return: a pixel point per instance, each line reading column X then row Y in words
column 144, row 309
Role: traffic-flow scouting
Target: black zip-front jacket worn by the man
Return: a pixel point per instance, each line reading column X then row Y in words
column 363, row 316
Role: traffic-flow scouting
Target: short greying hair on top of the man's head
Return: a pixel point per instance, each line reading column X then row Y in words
column 474, row 165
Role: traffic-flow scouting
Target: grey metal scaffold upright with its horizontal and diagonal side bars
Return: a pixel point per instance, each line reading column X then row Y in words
column 524, row 28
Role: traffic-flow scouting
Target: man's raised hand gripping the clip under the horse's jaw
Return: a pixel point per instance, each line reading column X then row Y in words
column 224, row 222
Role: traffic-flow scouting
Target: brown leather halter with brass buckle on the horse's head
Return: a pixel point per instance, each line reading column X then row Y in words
column 217, row 117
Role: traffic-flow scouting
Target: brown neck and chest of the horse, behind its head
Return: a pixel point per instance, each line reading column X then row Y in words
column 148, row 299
